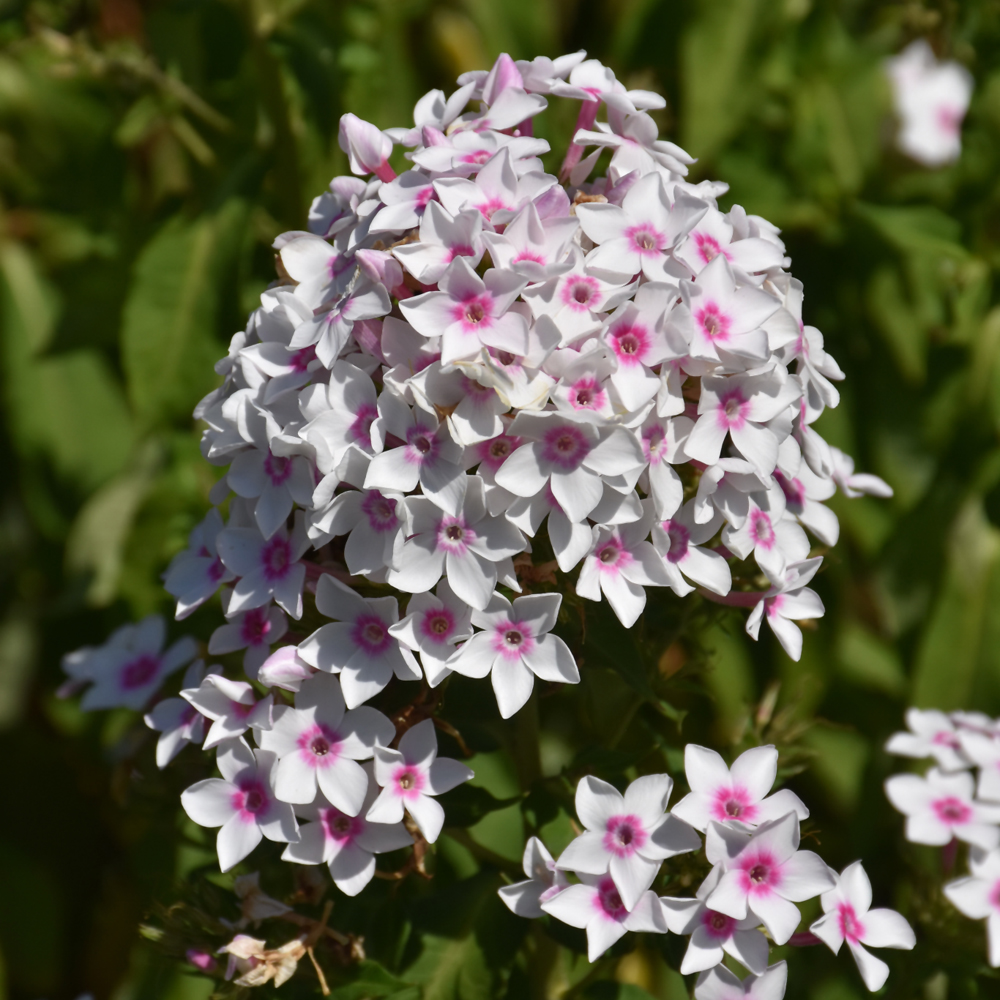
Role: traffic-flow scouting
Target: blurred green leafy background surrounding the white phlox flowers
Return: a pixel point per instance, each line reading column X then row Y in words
column 150, row 150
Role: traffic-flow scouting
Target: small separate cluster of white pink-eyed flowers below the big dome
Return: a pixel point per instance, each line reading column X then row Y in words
column 758, row 875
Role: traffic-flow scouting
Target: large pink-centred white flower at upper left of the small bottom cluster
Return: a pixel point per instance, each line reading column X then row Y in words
column 627, row 836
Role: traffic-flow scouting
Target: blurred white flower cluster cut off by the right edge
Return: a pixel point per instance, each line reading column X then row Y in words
column 948, row 804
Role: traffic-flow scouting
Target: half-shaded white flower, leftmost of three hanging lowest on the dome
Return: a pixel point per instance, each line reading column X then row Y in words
column 358, row 644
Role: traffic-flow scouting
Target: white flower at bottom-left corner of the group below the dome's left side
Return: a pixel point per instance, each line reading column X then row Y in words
column 242, row 802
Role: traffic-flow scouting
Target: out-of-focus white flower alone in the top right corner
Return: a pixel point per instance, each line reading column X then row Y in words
column 931, row 99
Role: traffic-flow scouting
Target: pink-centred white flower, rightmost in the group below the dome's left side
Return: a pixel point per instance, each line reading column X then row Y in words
column 410, row 778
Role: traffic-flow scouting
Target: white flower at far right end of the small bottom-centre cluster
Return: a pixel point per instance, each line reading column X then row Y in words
column 848, row 917
